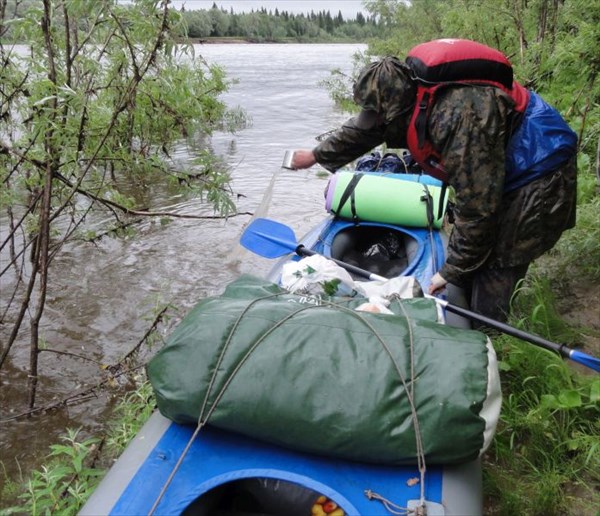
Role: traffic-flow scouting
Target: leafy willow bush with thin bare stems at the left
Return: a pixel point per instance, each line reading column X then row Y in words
column 95, row 96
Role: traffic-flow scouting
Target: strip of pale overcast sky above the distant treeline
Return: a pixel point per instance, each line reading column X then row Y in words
column 349, row 8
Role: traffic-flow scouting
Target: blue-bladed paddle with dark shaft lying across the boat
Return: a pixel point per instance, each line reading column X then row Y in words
column 271, row 239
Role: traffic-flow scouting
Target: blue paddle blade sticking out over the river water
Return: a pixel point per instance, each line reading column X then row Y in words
column 269, row 239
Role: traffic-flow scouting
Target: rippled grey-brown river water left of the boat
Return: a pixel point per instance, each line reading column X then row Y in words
column 103, row 296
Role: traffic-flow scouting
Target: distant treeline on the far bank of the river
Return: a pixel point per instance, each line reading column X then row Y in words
column 274, row 26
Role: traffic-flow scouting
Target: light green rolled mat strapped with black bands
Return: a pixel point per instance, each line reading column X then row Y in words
column 387, row 198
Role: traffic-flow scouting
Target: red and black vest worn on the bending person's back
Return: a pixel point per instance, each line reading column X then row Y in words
column 444, row 62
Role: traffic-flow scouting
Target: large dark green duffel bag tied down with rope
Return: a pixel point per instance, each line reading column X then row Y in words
column 315, row 375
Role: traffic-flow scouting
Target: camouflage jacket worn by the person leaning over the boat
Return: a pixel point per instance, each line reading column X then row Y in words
column 469, row 126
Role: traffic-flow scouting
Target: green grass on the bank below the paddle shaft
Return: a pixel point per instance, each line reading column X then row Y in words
column 546, row 454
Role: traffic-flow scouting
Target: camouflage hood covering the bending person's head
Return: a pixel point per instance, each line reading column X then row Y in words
column 386, row 88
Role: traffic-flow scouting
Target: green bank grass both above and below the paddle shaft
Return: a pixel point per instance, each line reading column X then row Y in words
column 546, row 454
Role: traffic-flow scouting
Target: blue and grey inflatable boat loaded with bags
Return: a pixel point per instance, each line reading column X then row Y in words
column 167, row 469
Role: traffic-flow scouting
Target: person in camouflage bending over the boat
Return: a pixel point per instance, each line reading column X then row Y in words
column 509, row 156
